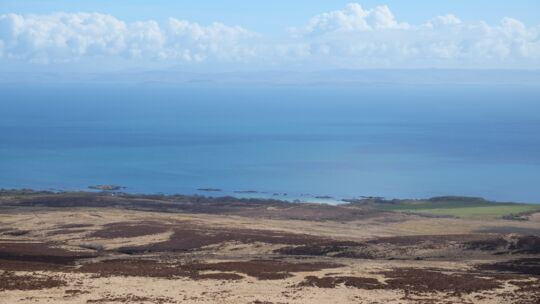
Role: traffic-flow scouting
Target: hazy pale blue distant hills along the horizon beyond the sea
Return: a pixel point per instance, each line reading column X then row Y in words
column 326, row 77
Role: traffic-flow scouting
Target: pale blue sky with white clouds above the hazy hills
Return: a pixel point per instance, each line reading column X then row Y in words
column 72, row 35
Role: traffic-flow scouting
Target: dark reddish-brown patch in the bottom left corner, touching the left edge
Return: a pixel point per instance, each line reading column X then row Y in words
column 11, row 281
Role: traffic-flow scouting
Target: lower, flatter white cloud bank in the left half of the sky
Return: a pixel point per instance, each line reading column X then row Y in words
column 63, row 37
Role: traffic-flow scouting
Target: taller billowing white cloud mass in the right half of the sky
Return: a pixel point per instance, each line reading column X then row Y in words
column 355, row 38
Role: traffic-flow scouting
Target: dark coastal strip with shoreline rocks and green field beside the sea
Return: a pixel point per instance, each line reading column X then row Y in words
column 213, row 201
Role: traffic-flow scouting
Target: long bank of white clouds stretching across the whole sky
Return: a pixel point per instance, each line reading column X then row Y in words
column 353, row 37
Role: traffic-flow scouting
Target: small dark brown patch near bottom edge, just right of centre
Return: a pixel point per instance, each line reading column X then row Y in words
column 349, row 281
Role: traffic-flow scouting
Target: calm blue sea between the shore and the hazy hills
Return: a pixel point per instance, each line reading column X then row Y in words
column 392, row 141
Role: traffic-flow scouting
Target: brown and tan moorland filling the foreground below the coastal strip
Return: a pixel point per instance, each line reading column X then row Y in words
column 111, row 248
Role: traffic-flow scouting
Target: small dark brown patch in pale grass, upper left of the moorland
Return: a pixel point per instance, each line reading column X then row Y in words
column 127, row 230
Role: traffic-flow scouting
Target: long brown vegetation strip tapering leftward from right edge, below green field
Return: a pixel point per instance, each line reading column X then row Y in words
column 417, row 247
